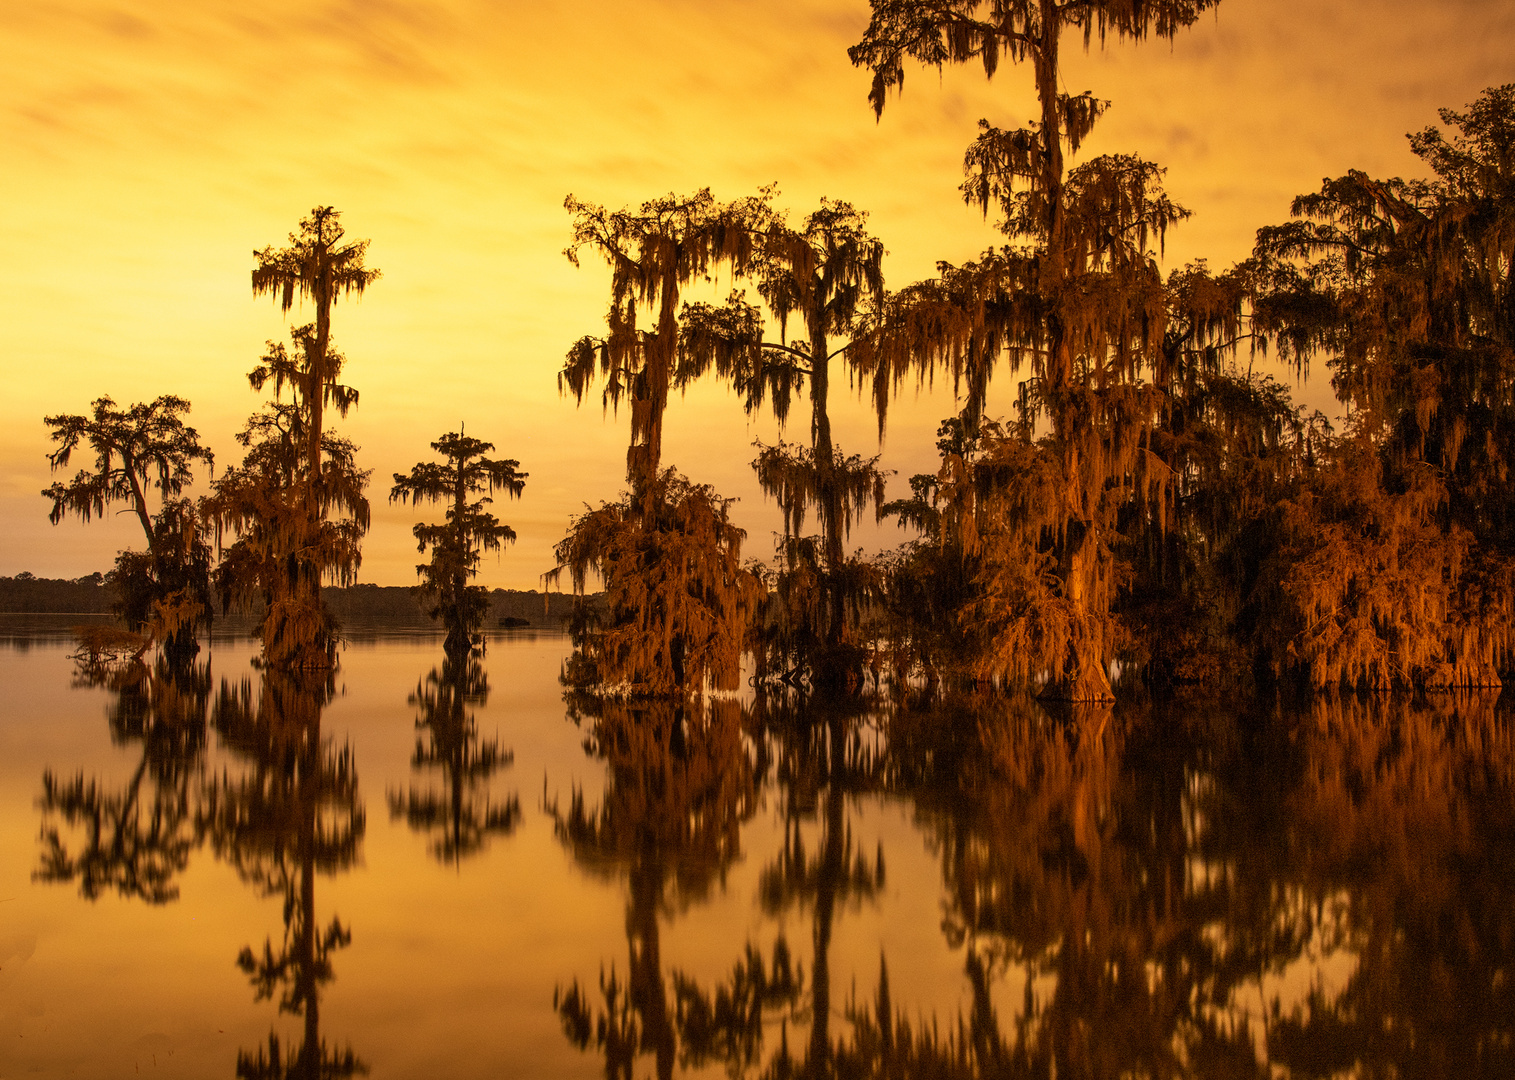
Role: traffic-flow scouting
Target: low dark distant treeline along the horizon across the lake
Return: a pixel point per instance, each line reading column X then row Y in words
column 93, row 595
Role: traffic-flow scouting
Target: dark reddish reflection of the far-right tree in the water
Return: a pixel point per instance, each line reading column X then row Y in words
column 1404, row 837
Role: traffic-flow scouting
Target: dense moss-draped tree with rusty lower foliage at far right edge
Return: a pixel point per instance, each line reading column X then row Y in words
column 1395, row 561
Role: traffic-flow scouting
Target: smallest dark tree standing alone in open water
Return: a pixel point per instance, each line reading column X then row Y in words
column 469, row 532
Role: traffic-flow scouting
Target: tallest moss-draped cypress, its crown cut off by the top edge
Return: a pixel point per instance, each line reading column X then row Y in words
column 1075, row 302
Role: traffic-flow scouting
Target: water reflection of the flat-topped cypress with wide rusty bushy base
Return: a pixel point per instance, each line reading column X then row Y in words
column 681, row 782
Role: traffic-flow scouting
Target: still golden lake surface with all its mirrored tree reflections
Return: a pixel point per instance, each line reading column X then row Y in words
column 433, row 870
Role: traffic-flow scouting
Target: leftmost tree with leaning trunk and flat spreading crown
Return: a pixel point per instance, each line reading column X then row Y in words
column 164, row 590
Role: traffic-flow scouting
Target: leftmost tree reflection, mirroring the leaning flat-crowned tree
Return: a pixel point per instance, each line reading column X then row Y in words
column 136, row 840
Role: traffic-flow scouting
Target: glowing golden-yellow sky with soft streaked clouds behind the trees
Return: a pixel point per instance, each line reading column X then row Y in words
column 149, row 146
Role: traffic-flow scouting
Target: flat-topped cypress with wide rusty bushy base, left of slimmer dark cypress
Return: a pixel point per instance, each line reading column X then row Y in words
column 676, row 596
